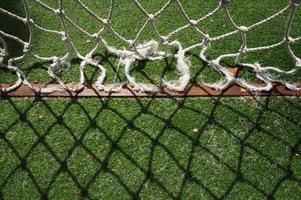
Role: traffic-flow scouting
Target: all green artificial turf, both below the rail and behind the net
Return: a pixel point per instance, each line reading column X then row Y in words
column 148, row 148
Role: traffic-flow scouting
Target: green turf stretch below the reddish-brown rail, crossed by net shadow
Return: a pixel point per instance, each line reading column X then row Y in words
column 149, row 148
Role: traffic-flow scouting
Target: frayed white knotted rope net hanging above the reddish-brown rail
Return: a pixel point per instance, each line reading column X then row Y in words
column 150, row 50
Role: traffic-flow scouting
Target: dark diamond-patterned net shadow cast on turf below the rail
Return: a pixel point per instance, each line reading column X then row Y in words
column 189, row 176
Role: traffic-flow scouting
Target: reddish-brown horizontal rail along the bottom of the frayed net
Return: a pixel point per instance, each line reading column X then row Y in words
column 196, row 90
